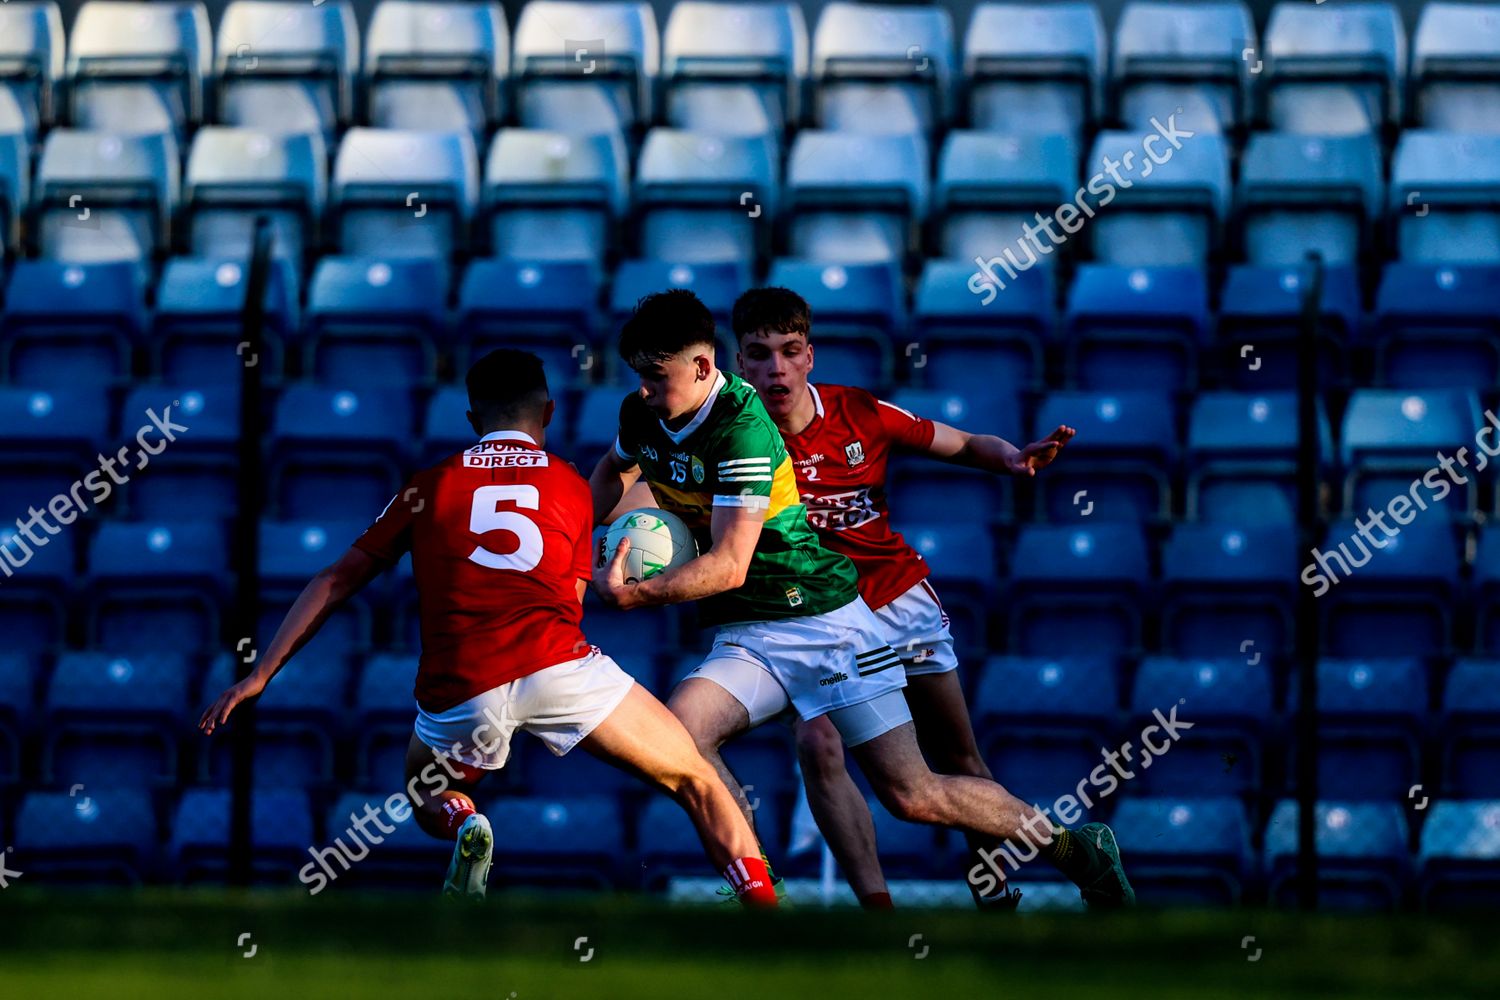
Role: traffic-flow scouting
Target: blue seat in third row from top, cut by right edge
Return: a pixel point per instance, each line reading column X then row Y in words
column 1436, row 326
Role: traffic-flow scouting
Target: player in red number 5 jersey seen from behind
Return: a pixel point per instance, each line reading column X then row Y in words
column 502, row 545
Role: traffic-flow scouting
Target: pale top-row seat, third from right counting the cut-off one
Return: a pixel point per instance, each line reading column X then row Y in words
column 1186, row 58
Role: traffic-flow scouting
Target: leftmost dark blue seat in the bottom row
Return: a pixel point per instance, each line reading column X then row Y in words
column 101, row 836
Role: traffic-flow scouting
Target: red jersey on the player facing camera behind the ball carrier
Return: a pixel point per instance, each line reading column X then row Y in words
column 841, row 463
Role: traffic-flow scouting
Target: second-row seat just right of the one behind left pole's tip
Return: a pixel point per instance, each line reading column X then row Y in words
column 400, row 193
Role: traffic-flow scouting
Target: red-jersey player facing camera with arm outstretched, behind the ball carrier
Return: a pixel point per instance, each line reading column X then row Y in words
column 839, row 440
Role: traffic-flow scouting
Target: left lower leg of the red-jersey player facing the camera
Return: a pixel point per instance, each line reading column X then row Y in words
column 842, row 813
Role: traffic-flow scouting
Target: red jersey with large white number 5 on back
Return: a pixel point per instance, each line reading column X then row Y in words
column 500, row 536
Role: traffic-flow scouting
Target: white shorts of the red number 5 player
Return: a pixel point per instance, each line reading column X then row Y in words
column 560, row 704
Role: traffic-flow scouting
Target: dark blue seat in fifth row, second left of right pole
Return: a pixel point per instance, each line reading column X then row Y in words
column 1078, row 590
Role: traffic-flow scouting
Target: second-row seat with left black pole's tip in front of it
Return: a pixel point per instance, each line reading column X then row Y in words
column 236, row 176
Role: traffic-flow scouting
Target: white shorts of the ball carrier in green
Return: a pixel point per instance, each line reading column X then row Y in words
column 821, row 665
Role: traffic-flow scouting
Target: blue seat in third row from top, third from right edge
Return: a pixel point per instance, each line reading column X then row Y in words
column 1136, row 328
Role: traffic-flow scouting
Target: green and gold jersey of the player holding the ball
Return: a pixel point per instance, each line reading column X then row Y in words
column 731, row 455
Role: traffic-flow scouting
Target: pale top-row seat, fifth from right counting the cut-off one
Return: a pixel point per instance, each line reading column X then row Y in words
column 884, row 70
